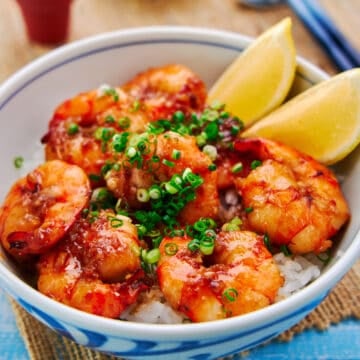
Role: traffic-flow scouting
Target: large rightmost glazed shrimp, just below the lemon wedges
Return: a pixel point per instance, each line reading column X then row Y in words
column 293, row 199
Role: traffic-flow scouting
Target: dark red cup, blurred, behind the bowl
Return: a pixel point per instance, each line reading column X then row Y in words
column 47, row 21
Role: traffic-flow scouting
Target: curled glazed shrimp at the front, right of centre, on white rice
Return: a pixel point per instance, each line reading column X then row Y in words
column 240, row 276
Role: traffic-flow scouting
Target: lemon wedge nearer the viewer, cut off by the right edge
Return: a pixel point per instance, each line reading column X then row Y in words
column 323, row 121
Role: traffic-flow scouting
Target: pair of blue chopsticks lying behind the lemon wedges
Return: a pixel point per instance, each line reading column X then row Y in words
column 342, row 53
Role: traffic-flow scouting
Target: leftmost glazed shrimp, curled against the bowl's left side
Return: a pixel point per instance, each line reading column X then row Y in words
column 41, row 207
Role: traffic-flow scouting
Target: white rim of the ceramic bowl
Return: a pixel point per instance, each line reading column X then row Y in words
column 295, row 303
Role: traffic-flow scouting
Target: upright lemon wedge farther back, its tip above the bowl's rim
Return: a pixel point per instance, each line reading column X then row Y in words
column 260, row 77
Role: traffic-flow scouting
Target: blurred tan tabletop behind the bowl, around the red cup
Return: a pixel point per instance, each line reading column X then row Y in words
column 90, row 17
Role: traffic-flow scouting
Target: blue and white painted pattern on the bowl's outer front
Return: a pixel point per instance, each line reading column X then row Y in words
column 193, row 349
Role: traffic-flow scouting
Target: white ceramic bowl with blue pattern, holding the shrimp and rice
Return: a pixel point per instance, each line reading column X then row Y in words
column 27, row 101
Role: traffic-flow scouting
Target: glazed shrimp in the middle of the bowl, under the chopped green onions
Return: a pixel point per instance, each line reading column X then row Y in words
column 125, row 183
